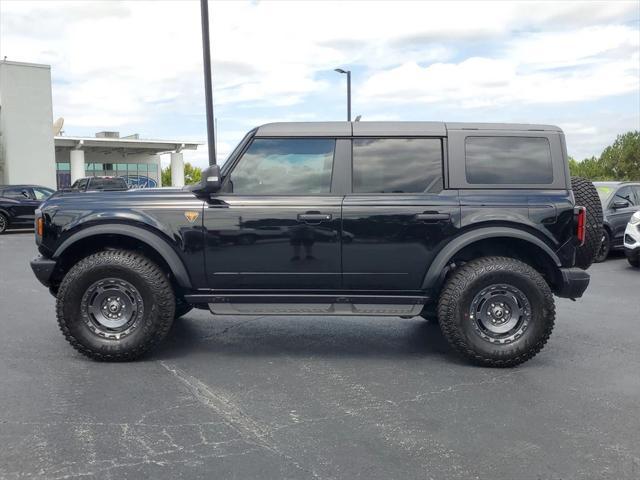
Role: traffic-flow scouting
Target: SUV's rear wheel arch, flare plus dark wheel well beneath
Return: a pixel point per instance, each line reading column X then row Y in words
column 535, row 250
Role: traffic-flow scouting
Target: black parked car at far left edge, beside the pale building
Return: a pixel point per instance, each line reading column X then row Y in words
column 18, row 204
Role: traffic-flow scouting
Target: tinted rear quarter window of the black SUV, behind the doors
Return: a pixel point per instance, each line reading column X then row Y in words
column 508, row 160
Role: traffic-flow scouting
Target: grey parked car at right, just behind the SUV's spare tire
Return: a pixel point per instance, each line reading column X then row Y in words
column 620, row 200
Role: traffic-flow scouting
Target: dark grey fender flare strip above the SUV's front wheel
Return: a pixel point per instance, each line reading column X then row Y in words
column 153, row 240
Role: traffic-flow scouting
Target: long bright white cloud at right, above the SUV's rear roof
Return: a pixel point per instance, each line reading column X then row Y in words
column 530, row 70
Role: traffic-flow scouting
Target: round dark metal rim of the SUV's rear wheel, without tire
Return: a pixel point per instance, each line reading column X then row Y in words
column 500, row 313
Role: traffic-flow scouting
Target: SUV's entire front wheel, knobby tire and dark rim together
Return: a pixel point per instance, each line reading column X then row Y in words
column 115, row 305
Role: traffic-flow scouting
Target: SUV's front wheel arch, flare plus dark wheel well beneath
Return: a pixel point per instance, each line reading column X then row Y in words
column 98, row 237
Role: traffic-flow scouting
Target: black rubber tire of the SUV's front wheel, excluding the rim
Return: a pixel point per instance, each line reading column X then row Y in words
column 150, row 326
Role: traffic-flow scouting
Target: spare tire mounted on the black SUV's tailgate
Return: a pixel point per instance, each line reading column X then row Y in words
column 586, row 195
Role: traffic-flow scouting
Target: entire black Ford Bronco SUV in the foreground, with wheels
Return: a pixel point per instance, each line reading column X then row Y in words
column 477, row 225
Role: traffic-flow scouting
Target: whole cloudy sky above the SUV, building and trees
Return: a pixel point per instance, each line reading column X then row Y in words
column 136, row 66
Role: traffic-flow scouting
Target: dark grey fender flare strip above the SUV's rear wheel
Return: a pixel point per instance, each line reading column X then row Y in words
column 433, row 277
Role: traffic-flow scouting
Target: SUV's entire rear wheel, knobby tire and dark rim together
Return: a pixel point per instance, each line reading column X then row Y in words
column 496, row 311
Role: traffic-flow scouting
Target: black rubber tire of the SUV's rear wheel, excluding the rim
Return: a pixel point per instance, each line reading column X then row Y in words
column 459, row 328
